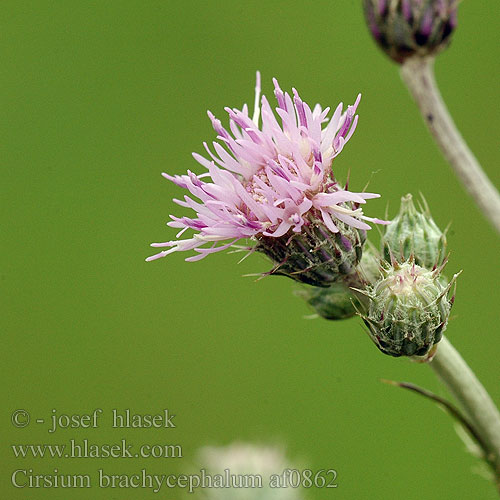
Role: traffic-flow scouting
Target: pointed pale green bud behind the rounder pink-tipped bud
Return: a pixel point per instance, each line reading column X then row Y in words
column 414, row 233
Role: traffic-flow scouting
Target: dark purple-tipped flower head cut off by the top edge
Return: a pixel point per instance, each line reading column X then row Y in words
column 404, row 28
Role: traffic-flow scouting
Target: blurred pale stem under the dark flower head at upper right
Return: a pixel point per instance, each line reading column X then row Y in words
column 418, row 74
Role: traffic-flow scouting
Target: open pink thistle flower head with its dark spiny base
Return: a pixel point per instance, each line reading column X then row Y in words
column 274, row 184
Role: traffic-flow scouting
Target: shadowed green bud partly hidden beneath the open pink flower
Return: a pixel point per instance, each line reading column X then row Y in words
column 335, row 302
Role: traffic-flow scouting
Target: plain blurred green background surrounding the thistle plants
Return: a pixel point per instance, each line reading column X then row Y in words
column 97, row 99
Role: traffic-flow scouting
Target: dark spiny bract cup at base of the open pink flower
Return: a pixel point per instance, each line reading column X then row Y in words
column 315, row 256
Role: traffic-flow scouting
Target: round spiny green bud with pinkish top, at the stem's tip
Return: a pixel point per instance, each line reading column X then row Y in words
column 408, row 310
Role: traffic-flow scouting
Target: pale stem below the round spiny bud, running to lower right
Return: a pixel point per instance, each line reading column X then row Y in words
column 472, row 396
